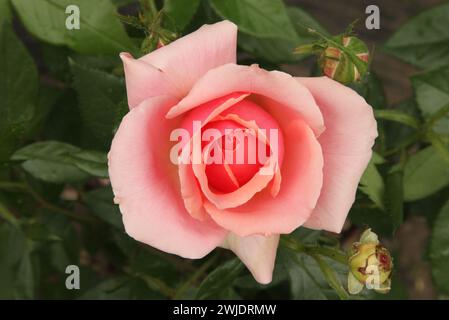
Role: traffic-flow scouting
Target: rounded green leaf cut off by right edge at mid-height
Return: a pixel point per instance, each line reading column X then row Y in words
column 425, row 173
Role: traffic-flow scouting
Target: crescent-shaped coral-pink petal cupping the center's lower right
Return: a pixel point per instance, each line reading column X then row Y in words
column 301, row 184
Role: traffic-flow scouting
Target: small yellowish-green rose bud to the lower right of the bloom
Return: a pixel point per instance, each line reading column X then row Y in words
column 370, row 265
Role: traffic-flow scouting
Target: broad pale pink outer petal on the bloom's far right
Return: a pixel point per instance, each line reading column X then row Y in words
column 350, row 133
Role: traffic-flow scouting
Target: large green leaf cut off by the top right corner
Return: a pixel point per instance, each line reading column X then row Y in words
column 423, row 40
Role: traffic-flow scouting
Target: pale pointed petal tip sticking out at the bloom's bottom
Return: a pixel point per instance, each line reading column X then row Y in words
column 257, row 252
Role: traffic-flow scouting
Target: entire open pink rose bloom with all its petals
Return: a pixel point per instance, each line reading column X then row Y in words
column 188, row 208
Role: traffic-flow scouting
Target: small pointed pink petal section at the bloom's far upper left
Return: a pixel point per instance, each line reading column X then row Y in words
column 144, row 81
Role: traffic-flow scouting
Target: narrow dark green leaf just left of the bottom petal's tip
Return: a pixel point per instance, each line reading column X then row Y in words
column 220, row 279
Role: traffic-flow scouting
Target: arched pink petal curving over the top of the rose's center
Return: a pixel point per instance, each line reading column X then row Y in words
column 275, row 85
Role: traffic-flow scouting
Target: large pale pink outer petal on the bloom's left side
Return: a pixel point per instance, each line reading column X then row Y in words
column 146, row 185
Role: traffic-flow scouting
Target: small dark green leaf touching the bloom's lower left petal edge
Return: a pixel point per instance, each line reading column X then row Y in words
column 100, row 201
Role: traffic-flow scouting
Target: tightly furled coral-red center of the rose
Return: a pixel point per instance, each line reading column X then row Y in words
column 243, row 146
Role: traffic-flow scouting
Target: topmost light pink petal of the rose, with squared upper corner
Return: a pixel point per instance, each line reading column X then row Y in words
column 187, row 59
